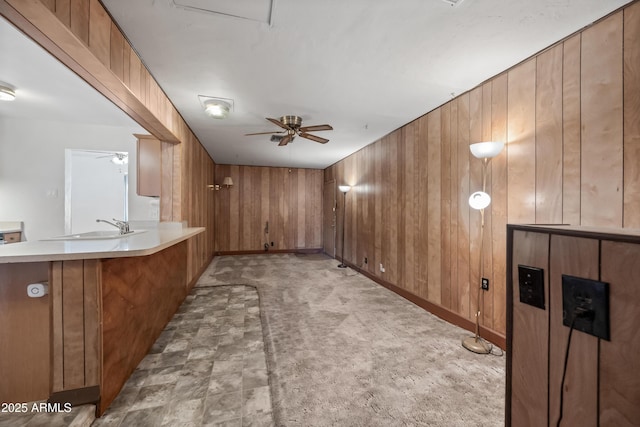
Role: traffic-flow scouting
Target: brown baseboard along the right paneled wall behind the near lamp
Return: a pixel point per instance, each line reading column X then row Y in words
column 437, row 310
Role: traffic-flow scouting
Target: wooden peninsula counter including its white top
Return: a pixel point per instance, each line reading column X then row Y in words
column 108, row 300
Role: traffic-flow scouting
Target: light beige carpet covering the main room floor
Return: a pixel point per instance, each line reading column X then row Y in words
column 344, row 351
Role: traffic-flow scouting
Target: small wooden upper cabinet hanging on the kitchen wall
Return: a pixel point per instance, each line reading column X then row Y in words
column 148, row 166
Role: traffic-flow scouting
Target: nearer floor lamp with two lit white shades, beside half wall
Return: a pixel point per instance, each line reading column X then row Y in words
column 479, row 201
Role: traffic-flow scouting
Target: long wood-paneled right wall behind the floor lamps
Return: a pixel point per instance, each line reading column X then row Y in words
column 570, row 116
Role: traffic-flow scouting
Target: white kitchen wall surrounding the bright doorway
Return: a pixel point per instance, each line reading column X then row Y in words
column 32, row 170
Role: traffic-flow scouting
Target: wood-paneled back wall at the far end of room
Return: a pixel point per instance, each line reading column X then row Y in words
column 289, row 199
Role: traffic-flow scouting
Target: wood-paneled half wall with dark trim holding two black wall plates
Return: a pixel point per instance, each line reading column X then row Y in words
column 602, row 385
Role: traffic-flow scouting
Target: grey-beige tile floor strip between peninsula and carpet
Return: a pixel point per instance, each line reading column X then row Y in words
column 207, row 368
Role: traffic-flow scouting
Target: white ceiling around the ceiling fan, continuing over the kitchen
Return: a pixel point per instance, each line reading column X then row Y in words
column 366, row 67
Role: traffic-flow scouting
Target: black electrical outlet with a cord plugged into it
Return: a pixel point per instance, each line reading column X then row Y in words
column 586, row 296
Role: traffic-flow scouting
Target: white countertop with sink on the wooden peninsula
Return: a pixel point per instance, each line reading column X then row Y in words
column 147, row 243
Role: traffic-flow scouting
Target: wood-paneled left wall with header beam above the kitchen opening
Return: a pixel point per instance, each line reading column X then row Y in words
column 82, row 35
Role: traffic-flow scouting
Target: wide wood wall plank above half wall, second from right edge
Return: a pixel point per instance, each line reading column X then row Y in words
column 601, row 106
